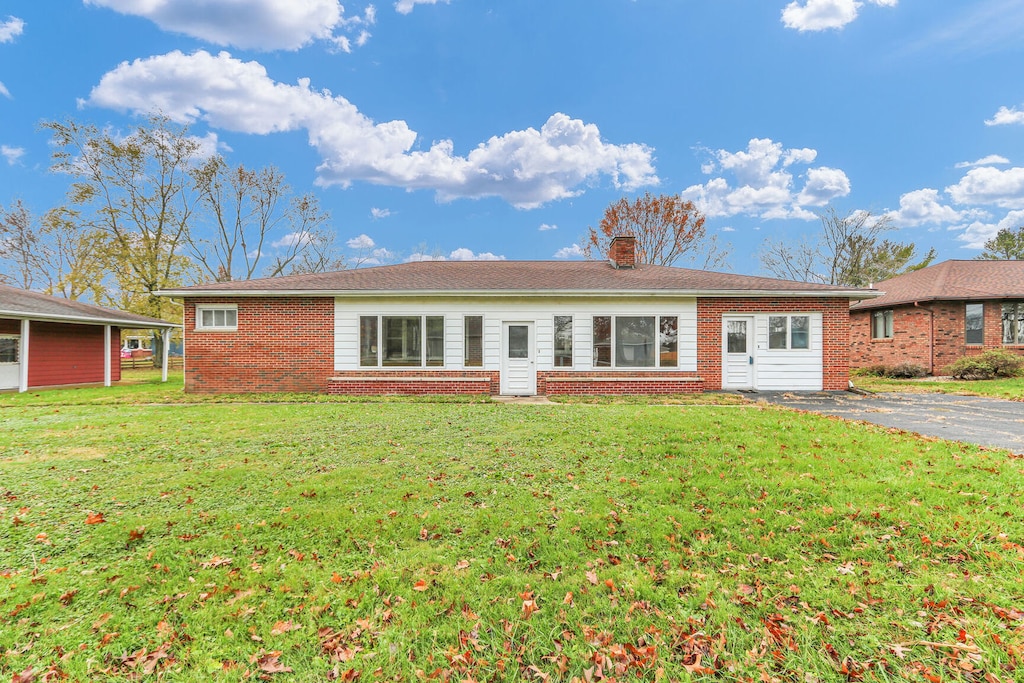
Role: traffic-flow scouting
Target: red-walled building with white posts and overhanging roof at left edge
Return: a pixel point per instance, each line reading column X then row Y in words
column 50, row 341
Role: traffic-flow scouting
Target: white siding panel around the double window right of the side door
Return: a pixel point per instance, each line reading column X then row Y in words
column 788, row 370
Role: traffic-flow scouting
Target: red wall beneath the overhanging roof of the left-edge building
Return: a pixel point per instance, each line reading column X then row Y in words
column 64, row 354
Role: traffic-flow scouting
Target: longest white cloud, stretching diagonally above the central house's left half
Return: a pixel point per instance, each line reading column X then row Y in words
column 527, row 168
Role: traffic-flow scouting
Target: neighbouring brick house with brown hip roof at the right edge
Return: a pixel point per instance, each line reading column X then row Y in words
column 935, row 316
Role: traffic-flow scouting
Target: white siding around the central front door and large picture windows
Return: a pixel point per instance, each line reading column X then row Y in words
column 539, row 312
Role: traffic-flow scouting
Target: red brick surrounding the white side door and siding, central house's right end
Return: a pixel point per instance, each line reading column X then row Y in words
column 835, row 332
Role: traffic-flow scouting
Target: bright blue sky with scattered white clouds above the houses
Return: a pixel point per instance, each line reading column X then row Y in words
column 496, row 130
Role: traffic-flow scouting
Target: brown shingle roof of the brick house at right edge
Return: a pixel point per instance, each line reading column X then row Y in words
column 952, row 281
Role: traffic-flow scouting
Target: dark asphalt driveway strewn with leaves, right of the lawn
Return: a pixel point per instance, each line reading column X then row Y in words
column 972, row 419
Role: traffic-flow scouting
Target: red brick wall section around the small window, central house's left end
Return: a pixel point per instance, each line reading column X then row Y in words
column 281, row 345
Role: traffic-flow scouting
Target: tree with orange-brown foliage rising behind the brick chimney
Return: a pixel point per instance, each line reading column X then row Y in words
column 667, row 230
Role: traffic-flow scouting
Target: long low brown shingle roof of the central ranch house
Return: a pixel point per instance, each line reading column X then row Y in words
column 516, row 278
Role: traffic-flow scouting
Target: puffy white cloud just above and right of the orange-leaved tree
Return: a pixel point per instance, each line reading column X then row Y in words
column 764, row 183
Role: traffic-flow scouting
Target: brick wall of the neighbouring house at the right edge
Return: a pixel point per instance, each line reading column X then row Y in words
column 915, row 328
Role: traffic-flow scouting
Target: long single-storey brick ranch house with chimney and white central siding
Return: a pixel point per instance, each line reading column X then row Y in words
column 517, row 328
